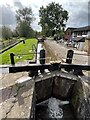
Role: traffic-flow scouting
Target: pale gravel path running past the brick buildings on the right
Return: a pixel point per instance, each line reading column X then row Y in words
column 60, row 52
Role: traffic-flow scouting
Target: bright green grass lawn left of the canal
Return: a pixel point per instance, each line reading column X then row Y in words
column 18, row 49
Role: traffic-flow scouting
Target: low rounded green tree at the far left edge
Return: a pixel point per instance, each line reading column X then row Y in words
column 6, row 32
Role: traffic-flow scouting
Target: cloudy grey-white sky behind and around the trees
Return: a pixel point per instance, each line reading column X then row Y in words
column 78, row 11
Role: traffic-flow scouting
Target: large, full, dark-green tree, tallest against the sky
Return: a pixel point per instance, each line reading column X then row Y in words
column 53, row 18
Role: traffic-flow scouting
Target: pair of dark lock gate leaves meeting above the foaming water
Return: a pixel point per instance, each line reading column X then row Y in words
column 59, row 87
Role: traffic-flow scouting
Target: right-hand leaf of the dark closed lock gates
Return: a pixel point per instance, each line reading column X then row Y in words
column 63, row 88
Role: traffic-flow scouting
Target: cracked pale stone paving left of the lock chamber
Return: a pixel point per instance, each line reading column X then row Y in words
column 17, row 100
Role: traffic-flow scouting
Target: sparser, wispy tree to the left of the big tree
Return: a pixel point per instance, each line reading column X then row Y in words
column 24, row 19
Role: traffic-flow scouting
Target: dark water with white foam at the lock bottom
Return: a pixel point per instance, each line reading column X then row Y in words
column 54, row 109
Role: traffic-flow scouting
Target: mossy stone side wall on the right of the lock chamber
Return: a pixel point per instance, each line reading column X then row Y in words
column 81, row 100
